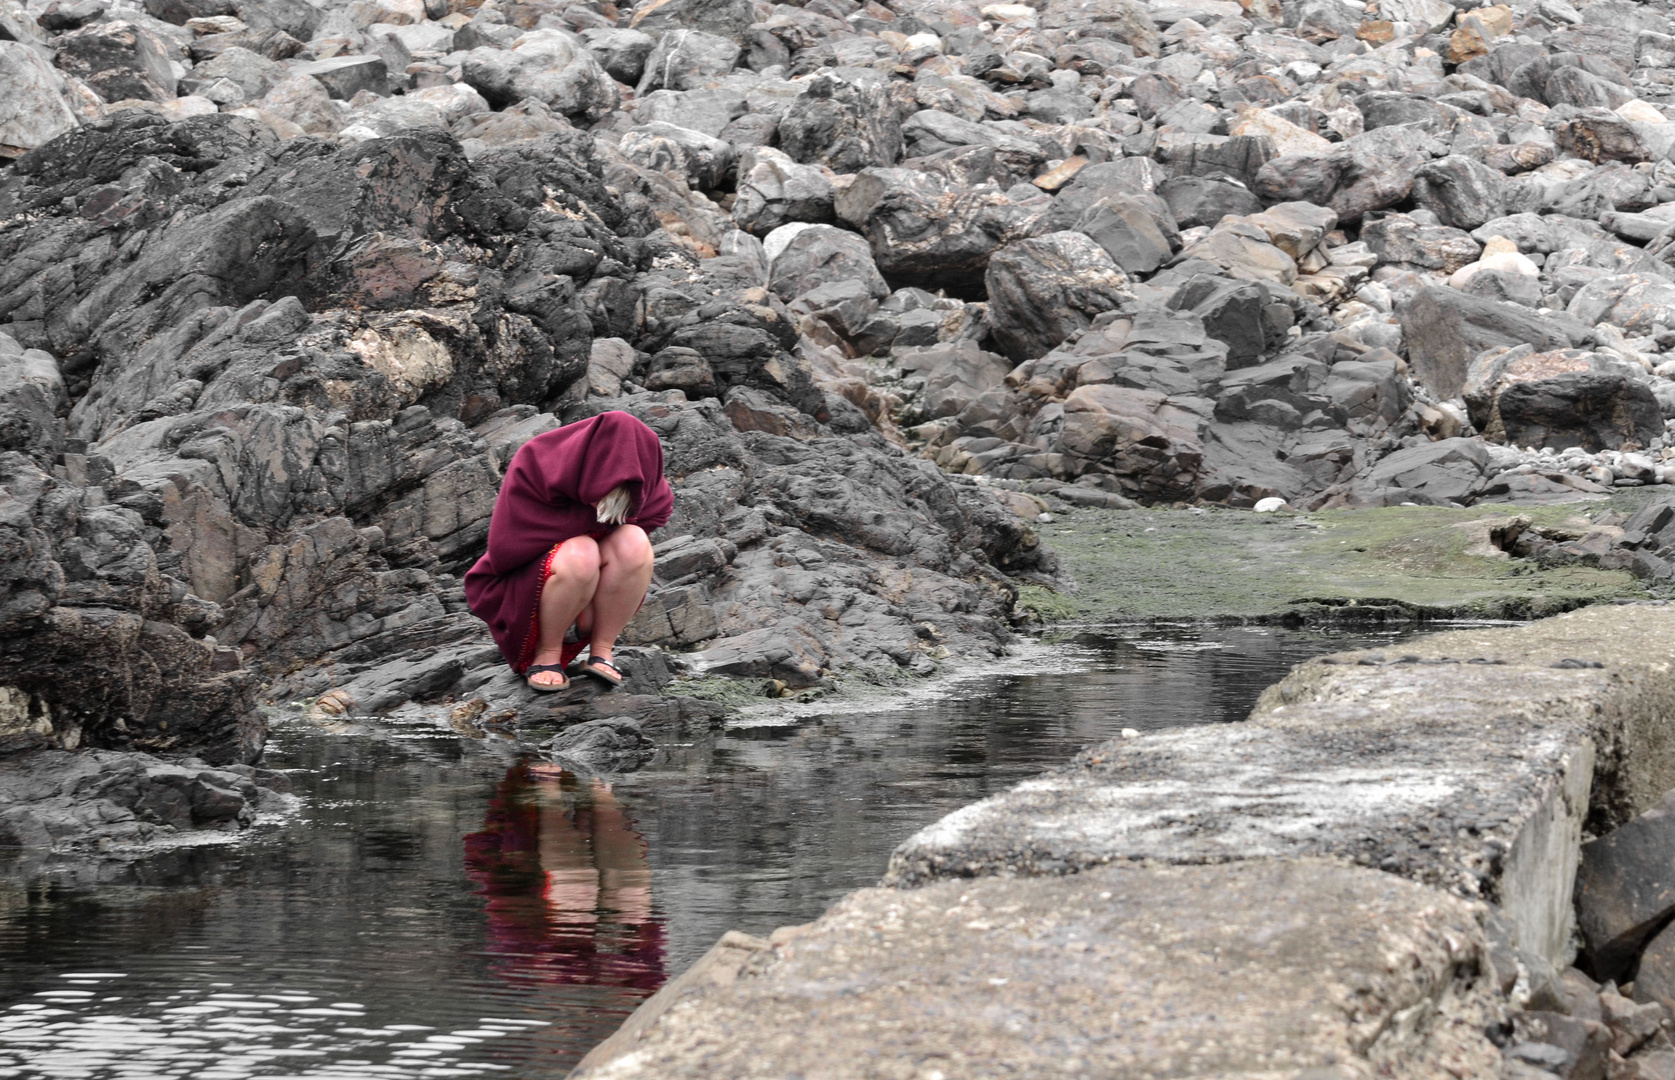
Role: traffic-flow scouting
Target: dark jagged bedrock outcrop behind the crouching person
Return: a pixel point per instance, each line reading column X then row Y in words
column 259, row 394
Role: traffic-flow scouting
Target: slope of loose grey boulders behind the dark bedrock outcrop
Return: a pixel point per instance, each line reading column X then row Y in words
column 1160, row 249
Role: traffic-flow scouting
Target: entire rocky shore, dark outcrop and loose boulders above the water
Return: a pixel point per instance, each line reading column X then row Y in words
column 286, row 284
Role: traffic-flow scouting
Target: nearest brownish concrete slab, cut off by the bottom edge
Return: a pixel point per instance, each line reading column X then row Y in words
column 1242, row 972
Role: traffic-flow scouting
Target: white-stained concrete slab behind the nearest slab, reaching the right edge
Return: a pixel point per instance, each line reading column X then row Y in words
column 1463, row 763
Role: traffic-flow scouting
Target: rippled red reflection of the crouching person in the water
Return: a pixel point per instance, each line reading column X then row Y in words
column 567, row 883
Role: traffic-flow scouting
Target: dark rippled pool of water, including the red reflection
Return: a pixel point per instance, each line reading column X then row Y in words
column 445, row 912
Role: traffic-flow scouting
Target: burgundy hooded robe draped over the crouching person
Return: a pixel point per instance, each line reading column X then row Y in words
column 547, row 500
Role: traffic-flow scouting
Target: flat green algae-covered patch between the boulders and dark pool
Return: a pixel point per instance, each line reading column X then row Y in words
column 1411, row 562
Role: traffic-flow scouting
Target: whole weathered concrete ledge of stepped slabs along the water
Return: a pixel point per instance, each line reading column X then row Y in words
column 1187, row 903
